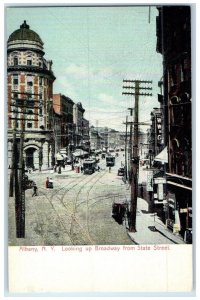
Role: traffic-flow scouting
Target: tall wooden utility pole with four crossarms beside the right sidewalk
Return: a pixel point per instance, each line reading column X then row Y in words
column 135, row 156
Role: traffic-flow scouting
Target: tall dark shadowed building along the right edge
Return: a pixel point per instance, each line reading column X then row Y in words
column 174, row 43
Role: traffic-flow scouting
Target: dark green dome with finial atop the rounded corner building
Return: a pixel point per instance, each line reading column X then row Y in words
column 24, row 33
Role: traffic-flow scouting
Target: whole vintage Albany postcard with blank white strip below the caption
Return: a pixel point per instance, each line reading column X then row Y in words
column 99, row 148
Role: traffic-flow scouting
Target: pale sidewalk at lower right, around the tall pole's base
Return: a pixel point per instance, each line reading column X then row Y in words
column 150, row 229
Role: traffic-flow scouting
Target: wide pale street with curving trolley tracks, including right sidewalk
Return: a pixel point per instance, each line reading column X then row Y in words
column 77, row 211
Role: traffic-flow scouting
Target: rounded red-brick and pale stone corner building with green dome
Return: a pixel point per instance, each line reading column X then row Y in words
column 30, row 92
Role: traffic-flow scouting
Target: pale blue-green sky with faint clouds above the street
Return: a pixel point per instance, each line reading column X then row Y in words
column 93, row 49
